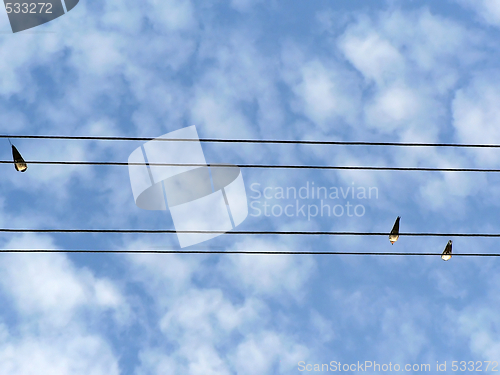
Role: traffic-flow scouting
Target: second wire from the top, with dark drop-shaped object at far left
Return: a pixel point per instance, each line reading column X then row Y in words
column 264, row 166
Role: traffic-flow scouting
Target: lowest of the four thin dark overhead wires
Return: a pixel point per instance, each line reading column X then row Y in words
column 240, row 252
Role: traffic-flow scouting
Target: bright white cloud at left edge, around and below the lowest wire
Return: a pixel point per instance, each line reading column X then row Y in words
column 49, row 288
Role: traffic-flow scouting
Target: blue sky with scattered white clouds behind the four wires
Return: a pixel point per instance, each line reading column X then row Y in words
column 409, row 71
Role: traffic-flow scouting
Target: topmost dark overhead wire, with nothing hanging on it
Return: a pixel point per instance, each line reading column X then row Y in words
column 263, row 141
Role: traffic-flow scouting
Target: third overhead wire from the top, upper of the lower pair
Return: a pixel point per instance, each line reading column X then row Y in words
column 300, row 233
